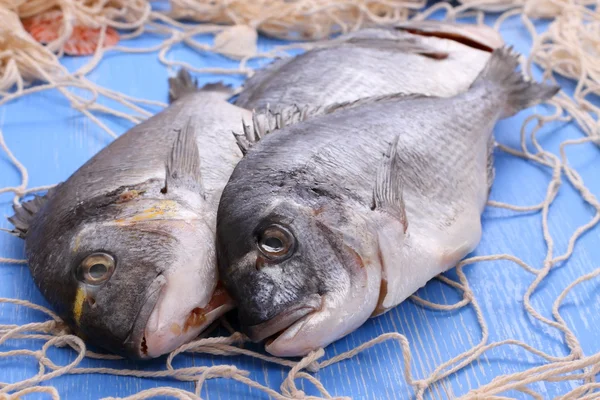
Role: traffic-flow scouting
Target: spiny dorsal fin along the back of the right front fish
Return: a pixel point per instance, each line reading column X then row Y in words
column 266, row 121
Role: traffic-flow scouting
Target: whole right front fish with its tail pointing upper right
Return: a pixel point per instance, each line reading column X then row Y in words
column 340, row 217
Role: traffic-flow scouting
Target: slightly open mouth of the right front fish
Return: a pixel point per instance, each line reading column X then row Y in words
column 279, row 324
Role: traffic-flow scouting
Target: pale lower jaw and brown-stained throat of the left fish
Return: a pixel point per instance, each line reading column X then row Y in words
column 178, row 331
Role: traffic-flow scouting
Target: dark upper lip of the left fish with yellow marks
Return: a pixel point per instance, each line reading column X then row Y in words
column 135, row 344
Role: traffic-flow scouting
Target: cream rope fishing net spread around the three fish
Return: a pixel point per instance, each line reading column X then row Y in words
column 569, row 47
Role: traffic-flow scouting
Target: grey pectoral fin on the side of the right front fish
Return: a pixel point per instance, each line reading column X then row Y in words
column 387, row 194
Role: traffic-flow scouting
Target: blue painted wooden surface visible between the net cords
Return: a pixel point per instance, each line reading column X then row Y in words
column 52, row 141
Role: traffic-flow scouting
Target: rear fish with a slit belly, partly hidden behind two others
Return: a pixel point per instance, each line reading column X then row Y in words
column 427, row 57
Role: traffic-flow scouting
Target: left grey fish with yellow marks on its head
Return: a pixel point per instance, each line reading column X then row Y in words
column 124, row 249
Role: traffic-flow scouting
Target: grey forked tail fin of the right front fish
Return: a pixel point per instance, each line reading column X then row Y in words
column 520, row 94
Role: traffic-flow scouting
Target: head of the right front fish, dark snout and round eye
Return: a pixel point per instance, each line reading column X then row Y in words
column 300, row 273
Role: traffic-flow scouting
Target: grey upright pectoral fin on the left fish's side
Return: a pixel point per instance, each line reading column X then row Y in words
column 183, row 164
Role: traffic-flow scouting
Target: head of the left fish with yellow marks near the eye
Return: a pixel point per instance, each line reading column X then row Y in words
column 133, row 273
